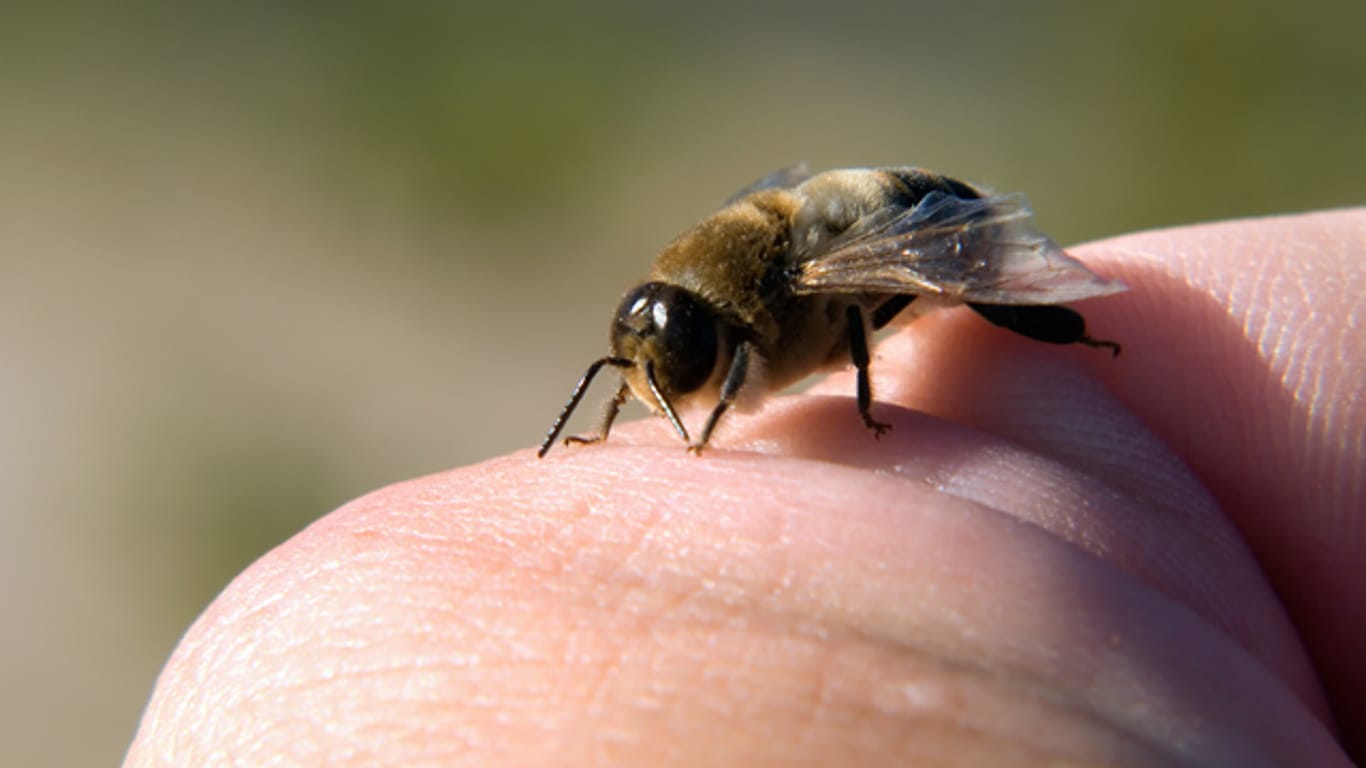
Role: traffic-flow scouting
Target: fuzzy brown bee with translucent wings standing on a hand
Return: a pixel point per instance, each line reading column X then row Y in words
column 794, row 274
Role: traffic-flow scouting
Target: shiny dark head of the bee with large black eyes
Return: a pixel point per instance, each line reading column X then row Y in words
column 670, row 331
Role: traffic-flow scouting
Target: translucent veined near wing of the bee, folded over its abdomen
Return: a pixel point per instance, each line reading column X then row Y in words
column 980, row 251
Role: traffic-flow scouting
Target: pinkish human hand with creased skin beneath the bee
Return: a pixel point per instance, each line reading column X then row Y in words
column 1054, row 558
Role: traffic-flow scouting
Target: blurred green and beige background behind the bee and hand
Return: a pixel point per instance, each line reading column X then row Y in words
column 259, row 259
